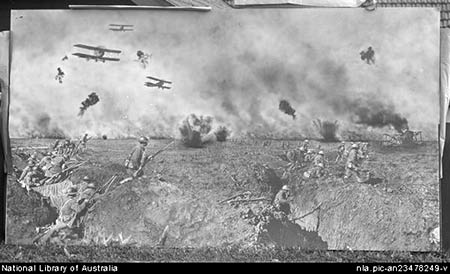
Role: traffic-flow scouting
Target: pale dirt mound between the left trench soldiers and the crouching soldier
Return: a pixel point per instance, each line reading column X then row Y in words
column 143, row 208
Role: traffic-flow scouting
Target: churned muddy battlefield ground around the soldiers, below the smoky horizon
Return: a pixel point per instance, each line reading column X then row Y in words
column 395, row 210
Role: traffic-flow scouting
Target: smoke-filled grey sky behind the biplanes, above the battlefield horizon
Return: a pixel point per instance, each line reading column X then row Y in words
column 232, row 65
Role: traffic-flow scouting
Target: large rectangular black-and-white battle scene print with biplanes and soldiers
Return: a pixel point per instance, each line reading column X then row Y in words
column 310, row 128
